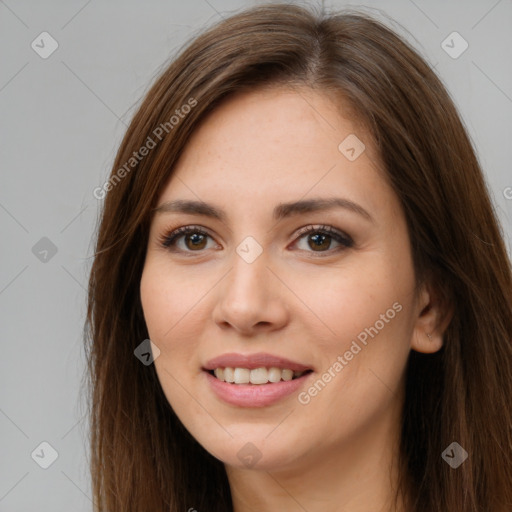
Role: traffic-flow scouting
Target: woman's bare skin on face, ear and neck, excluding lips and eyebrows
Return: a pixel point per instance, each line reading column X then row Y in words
column 296, row 301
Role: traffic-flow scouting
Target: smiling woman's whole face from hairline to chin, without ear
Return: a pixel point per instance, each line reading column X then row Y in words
column 298, row 263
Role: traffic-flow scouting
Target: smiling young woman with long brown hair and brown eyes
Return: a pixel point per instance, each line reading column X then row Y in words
column 297, row 221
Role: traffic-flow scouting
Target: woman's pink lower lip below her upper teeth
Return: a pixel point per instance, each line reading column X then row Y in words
column 254, row 395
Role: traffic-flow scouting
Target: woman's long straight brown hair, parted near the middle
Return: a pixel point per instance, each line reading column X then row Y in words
column 142, row 457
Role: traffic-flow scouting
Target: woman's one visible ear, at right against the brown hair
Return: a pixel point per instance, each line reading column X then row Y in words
column 433, row 317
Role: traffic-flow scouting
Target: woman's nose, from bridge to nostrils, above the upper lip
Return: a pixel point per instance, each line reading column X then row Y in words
column 250, row 299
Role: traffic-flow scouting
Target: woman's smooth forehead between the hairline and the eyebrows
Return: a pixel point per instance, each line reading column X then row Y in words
column 272, row 145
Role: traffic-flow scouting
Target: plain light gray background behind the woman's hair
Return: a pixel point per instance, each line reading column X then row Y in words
column 62, row 120
